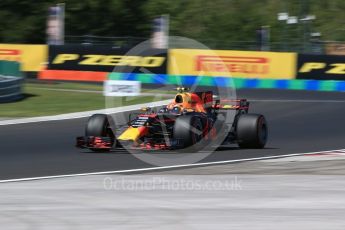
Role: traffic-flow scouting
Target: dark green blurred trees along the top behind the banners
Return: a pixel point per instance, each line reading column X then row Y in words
column 24, row 21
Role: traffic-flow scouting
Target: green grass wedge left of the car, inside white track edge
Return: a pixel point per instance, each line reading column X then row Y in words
column 41, row 100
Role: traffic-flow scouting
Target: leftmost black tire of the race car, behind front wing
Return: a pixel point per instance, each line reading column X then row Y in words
column 98, row 126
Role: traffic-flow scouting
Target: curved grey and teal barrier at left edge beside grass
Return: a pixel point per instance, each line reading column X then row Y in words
column 10, row 81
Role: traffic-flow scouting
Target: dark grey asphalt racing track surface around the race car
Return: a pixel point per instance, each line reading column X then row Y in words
column 299, row 121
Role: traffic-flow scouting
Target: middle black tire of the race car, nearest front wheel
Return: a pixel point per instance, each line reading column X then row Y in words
column 188, row 130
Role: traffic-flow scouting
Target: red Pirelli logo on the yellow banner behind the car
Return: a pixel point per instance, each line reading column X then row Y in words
column 232, row 64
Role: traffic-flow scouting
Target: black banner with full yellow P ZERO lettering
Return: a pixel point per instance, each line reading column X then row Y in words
column 106, row 59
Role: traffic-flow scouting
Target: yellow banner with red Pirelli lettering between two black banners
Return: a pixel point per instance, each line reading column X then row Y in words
column 238, row 64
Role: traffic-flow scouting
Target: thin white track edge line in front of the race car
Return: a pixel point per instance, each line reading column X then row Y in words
column 164, row 167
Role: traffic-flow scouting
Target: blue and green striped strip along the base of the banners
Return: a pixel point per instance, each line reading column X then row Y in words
column 238, row 83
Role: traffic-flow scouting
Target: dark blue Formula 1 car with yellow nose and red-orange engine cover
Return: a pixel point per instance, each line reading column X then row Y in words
column 192, row 120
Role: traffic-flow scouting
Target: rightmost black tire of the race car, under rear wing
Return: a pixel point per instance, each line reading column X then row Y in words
column 251, row 131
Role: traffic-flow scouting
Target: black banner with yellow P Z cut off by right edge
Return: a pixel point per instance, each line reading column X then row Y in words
column 321, row 67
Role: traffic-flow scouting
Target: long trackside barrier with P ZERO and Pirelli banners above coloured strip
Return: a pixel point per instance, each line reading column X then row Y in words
column 249, row 69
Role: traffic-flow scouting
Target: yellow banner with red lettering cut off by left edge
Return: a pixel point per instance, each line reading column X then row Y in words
column 31, row 57
